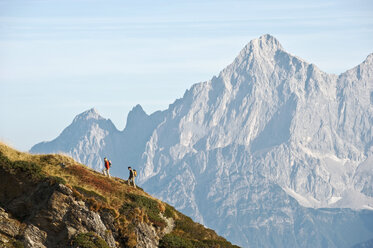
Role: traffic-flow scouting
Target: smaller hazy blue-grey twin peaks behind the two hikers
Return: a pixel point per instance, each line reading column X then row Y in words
column 90, row 138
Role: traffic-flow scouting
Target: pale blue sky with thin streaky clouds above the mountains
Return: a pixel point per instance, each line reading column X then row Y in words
column 59, row 58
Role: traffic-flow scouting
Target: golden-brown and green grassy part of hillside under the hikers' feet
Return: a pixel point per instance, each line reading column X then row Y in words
column 128, row 205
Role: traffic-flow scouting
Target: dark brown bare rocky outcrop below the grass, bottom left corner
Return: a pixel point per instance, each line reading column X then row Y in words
column 50, row 216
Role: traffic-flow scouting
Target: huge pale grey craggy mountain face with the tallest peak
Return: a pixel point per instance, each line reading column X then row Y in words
column 272, row 152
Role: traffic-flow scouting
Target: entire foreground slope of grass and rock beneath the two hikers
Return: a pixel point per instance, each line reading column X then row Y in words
column 52, row 201
